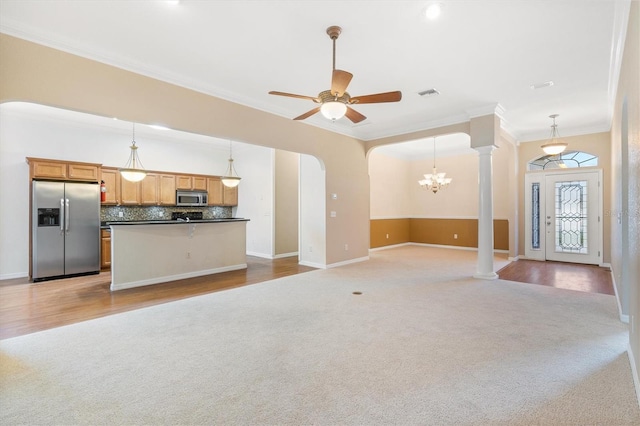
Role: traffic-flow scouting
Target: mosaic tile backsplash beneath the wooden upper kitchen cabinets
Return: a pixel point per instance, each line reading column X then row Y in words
column 131, row 213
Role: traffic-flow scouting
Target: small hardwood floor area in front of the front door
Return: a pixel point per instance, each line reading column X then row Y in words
column 571, row 276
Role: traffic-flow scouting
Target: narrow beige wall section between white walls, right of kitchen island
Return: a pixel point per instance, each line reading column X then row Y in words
column 286, row 203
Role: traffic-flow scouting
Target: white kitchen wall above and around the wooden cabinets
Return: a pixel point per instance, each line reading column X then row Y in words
column 48, row 136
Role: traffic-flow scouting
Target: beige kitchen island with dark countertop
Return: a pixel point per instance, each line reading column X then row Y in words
column 152, row 252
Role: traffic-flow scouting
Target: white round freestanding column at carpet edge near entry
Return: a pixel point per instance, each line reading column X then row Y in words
column 485, row 215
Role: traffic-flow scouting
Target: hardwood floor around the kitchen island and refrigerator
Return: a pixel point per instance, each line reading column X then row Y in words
column 29, row 307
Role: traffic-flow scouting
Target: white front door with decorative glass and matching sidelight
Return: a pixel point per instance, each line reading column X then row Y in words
column 563, row 216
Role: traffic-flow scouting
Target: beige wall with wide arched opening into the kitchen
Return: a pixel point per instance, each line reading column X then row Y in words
column 35, row 73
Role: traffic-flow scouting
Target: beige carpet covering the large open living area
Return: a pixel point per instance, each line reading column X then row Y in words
column 424, row 344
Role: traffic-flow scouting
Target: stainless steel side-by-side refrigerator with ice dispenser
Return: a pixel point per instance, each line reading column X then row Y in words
column 65, row 229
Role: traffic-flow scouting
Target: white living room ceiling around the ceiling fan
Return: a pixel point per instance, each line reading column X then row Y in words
column 481, row 55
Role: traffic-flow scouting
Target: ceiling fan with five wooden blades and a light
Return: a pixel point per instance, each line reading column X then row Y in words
column 335, row 103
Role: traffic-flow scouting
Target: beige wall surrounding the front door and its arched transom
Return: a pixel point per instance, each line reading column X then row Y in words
column 596, row 144
